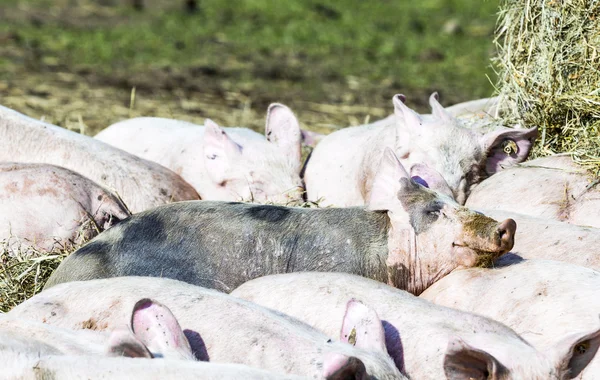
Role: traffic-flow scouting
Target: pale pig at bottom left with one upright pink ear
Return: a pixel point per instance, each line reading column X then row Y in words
column 153, row 331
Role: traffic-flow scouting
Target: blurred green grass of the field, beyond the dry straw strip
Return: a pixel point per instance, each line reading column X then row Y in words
column 320, row 49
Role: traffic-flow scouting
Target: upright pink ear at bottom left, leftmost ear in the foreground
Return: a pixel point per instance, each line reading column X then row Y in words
column 157, row 328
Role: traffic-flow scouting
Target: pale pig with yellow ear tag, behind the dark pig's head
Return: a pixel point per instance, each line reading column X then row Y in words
column 342, row 168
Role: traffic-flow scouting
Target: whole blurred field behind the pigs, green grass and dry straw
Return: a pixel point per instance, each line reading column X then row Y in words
column 75, row 62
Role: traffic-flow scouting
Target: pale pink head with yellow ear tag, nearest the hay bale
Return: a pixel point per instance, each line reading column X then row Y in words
column 463, row 156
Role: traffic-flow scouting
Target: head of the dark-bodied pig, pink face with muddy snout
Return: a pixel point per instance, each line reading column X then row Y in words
column 431, row 235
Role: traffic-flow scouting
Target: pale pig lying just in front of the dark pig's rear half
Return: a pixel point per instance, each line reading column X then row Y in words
column 219, row 327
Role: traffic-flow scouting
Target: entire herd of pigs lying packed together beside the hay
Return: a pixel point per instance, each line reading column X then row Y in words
column 198, row 257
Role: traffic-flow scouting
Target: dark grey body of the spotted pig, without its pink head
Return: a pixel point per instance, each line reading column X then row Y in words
column 221, row 245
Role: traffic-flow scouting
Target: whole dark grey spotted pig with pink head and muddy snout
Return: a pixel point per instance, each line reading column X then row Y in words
column 409, row 236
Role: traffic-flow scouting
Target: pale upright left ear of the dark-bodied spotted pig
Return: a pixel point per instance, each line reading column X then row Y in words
column 387, row 182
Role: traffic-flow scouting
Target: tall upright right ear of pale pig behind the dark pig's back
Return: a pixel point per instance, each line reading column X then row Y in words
column 283, row 129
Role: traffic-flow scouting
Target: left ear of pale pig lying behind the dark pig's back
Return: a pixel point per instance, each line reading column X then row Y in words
column 219, row 151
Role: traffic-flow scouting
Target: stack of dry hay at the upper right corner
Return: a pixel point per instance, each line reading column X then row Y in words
column 549, row 73
